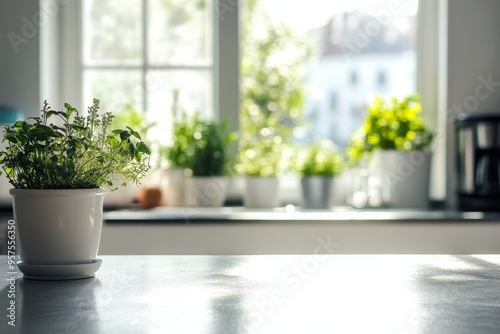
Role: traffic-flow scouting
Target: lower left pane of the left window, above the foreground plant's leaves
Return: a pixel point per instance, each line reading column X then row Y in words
column 115, row 88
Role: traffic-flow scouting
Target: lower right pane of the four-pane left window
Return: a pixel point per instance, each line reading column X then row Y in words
column 188, row 91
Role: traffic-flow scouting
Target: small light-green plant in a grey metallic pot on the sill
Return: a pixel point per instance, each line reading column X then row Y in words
column 317, row 165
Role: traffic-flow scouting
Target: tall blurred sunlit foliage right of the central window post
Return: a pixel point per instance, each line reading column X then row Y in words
column 272, row 73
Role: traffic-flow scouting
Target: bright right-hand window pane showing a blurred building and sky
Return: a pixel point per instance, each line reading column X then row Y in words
column 362, row 48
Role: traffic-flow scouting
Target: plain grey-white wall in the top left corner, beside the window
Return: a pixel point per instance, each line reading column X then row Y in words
column 19, row 62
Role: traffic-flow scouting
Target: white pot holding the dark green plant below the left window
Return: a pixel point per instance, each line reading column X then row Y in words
column 209, row 191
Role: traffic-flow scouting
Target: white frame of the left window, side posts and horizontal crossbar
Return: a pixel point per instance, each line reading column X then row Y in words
column 225, row 59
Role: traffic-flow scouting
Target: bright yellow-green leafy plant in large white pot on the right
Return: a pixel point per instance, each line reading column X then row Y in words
column 396, row 143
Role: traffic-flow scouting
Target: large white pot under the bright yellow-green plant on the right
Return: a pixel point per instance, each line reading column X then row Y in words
column 404, row 177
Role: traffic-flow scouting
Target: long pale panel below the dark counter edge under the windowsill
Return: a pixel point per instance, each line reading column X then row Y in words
column 301, row 237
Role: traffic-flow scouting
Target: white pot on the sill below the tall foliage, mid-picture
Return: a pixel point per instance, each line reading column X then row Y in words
column 261, row 192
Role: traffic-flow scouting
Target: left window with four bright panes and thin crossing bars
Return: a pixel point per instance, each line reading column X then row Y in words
column 156, row 55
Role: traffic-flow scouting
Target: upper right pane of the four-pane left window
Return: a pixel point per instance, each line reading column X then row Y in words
column 180, row 32
